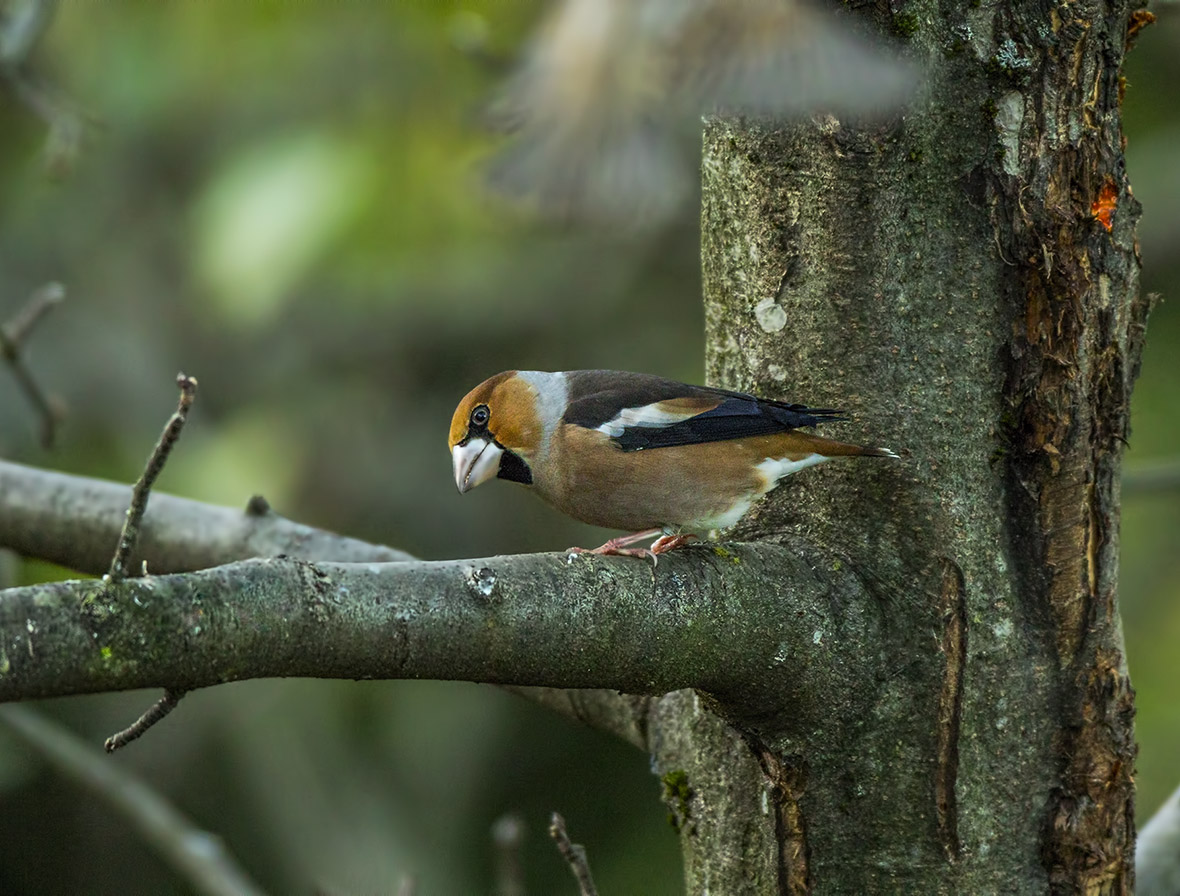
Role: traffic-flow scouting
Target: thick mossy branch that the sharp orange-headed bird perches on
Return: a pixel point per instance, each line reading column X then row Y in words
column 807, row 627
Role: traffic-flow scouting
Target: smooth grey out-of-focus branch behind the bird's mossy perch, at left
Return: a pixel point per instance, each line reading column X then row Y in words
column 74, row 521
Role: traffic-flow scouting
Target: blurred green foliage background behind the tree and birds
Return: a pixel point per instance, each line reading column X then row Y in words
column 284, row 200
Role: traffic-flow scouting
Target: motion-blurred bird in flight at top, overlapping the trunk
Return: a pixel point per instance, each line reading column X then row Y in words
column 609, row 94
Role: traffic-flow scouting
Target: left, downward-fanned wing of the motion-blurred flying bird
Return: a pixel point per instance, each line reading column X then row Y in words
column 593, row 138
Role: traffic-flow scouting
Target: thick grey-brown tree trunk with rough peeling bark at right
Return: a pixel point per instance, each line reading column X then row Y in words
column 954, row 283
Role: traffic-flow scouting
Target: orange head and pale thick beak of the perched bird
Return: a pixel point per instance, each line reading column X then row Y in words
column 496, row 431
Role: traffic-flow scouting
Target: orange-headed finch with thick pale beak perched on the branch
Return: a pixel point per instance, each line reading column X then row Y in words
column 637, row 452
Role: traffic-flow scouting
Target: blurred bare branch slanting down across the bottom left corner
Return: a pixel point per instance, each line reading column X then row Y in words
column 201, row 858
